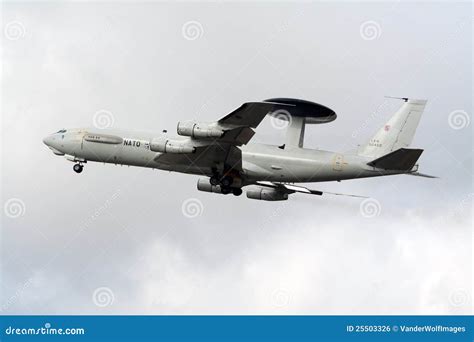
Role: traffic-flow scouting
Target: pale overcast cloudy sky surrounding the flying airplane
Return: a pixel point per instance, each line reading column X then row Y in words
column 119, row 240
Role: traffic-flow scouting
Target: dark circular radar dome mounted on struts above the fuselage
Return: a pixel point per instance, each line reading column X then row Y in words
column 314, row 113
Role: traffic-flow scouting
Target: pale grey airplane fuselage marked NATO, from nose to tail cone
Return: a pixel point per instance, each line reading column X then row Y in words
column 260, row 162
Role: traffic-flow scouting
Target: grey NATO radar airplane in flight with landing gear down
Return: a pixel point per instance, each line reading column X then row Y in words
column 220, row 151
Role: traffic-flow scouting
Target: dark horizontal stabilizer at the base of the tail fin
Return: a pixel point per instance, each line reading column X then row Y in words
column 403, row 159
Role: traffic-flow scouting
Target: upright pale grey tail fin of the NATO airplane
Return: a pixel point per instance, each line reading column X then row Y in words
column 398, row 132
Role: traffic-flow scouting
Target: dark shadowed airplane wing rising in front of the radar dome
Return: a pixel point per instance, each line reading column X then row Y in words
column 222, row 152
